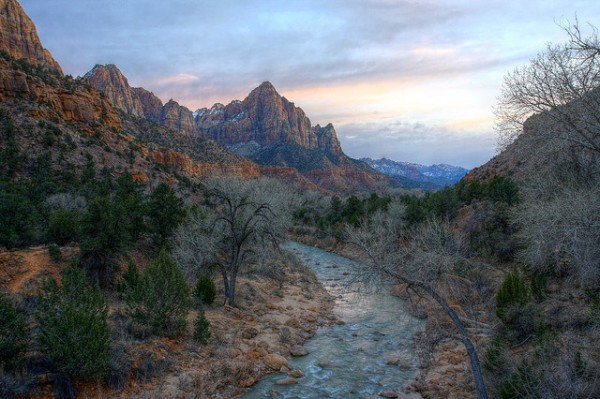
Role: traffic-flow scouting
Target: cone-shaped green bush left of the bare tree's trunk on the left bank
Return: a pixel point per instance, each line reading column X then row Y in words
column 161, row 299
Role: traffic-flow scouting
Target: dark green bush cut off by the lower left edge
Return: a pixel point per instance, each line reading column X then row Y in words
column 13, row 335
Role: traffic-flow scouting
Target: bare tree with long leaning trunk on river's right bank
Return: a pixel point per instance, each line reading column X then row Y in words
column 421, row 259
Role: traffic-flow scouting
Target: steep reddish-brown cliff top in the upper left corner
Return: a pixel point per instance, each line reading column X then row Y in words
column 19, row 38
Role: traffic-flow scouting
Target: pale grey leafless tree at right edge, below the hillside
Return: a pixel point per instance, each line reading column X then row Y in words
column 560, row 221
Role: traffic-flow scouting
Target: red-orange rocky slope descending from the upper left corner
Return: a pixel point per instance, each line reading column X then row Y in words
column 67, row 124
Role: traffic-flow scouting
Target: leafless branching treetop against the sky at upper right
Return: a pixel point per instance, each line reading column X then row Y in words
column 563, row 84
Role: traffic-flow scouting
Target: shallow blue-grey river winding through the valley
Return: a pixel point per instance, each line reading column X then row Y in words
column 349, row 360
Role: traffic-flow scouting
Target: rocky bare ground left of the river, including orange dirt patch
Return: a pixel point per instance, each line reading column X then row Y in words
column 280, row 306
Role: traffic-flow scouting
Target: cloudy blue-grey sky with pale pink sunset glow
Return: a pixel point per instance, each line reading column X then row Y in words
column 409, row 80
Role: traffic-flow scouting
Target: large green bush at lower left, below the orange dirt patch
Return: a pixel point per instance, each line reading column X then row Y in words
column 73, row 327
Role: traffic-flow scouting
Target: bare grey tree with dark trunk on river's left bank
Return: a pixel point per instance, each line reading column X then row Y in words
column 244, row 218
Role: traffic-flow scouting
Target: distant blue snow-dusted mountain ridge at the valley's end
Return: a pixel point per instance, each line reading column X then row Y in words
column 416, row 175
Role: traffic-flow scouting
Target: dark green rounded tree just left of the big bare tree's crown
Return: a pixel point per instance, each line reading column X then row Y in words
column 165, row 211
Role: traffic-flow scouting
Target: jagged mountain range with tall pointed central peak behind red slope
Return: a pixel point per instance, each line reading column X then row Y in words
column 265, row 128
